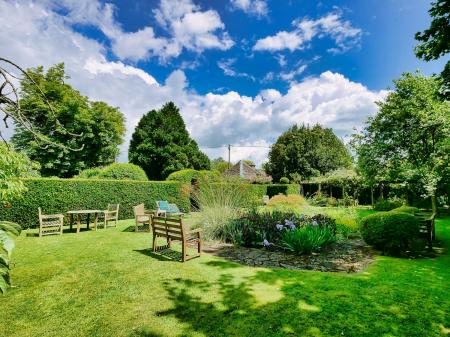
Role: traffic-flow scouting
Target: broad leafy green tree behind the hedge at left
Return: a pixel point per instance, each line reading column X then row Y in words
column 94, row 128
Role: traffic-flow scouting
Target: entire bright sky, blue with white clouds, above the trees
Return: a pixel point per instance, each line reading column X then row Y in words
column 241, row 71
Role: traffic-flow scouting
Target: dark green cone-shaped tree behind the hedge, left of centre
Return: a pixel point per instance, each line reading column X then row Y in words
column 161, row 144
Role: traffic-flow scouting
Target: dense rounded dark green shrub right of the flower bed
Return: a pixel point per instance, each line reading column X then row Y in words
column 391, row 232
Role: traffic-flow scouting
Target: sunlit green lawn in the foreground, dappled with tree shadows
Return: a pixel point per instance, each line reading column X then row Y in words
column 107, row 283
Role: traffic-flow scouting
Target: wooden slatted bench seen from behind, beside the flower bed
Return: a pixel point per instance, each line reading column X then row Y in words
column 173, row 229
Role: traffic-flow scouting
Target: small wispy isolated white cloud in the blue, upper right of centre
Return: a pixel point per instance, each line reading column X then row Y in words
column 332, row 25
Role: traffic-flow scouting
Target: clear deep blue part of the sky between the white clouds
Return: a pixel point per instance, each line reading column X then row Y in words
column 385, row 49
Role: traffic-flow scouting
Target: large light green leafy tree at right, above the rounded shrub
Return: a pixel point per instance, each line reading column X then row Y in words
column 408, row 140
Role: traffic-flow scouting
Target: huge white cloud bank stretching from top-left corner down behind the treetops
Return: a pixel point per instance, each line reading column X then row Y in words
column 35, row 35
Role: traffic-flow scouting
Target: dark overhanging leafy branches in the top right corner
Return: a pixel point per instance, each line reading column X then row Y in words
column 435, row 41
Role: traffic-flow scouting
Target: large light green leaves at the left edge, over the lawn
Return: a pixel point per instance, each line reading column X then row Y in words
column 8, row 233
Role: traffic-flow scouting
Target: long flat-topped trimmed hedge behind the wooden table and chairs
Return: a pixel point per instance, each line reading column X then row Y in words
column 55, row 195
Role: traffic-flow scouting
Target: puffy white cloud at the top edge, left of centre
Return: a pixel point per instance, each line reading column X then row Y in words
column 187, row 26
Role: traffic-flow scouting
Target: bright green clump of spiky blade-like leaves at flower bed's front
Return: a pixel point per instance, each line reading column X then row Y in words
column 307, row 239
